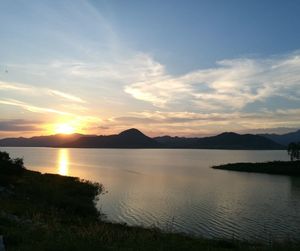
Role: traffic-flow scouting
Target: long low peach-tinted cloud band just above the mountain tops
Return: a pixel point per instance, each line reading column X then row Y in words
column 196, row 123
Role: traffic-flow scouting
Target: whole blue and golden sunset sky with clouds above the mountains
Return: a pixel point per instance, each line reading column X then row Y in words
column 186, row 68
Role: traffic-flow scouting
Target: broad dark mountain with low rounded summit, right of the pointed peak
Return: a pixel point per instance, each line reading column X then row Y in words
column 227, row 140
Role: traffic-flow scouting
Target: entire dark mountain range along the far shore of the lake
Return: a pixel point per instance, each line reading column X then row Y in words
column 133, row 138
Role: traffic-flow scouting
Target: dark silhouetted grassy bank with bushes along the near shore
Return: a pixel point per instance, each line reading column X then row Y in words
column 53, row 212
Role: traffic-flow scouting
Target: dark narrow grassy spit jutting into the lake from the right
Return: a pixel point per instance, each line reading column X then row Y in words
column 275, row 167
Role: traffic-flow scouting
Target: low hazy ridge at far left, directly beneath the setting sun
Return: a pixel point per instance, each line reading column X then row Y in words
column 41, row 141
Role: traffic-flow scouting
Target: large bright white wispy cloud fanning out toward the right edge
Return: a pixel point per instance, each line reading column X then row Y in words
column 232, row 84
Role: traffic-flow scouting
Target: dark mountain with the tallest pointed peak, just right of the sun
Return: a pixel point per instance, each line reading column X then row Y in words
column 131, row 138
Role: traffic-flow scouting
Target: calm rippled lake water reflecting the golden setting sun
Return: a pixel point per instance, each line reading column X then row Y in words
column 177, row 191
